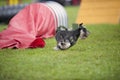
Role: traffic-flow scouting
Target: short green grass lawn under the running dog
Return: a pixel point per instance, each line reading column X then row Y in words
column 96, row 58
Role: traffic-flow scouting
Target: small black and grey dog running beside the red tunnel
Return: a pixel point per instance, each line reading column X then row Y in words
column 67, row 38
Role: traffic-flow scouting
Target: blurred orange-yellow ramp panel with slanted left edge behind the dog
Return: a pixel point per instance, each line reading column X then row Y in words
column 99, row 11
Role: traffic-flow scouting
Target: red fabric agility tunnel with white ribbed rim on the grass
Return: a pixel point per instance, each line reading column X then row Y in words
column 32, row 25
